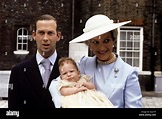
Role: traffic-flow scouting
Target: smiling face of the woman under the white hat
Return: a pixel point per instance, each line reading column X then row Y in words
column 102, row 46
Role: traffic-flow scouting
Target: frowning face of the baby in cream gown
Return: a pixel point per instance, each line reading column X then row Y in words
column 69, row 72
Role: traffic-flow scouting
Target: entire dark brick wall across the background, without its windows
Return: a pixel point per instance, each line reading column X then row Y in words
column 23, row 12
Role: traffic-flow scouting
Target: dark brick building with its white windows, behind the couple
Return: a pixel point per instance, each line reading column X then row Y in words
column 139, row 42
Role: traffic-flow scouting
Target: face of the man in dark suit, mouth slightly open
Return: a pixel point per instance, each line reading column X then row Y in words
column 46, row 37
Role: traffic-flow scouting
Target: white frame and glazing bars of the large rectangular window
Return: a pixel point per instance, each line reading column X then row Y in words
column 133, row 30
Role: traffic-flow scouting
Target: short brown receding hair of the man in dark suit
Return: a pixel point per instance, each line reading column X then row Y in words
column 45, row 17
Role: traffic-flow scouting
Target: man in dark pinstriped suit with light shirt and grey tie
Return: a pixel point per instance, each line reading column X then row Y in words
column 28, row 90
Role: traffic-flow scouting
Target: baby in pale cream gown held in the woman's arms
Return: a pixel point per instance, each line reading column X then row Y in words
column 76, row 90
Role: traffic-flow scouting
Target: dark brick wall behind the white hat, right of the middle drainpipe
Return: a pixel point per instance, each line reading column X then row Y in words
column 138, row 11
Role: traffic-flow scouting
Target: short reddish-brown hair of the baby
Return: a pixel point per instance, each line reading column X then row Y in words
column 67, row 60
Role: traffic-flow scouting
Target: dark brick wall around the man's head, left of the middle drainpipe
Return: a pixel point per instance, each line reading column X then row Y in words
column 14, row 13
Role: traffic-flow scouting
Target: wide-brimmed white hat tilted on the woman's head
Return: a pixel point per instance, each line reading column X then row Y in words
column 97, row 25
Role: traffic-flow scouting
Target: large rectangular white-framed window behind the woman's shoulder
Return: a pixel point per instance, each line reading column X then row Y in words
column 130, row 45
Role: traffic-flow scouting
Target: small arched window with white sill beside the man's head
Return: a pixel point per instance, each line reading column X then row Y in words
column 22, row 41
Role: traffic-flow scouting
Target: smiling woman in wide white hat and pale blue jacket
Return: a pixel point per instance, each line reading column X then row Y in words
column 111, row 75
